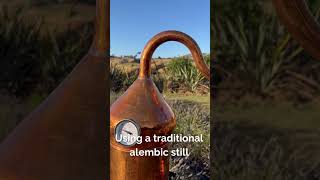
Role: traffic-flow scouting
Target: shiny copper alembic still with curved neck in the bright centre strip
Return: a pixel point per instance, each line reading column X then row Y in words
column 143, row 103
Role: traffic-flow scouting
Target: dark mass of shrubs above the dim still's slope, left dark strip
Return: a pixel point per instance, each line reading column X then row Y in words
column 34, row 60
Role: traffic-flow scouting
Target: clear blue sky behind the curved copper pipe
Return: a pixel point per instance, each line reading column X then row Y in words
column 134, row 22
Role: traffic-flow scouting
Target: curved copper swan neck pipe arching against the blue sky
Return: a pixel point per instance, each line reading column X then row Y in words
column 157, row 40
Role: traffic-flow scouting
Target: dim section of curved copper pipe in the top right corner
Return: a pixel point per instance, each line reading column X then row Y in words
column 300, row 23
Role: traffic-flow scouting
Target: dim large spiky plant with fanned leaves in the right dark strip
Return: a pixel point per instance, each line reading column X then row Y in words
column 259, row 52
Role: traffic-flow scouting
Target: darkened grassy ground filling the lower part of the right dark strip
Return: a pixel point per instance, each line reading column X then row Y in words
column 270, row 141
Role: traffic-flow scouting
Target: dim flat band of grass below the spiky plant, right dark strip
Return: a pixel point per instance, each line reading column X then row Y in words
column 283, row 116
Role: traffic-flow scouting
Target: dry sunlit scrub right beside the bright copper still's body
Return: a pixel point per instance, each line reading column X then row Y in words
column 192, row 119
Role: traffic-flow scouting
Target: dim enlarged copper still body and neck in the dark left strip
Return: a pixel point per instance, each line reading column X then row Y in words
column 65, row 137
